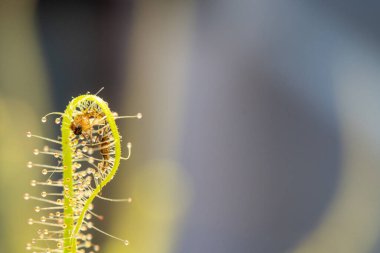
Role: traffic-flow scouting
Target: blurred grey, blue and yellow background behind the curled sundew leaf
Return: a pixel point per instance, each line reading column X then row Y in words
column 260, row 129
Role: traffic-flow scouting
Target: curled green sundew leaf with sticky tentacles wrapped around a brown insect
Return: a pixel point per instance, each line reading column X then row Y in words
column 88, row 155
